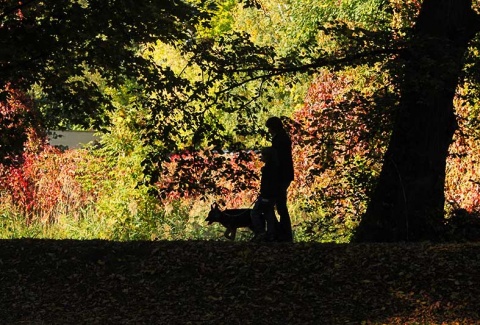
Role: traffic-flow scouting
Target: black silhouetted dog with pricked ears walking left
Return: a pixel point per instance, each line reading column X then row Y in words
column 231, row 219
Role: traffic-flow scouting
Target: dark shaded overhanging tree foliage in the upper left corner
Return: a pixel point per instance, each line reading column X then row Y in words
column 59, row 47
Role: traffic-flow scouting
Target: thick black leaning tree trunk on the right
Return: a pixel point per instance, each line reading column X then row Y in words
column 408, row 203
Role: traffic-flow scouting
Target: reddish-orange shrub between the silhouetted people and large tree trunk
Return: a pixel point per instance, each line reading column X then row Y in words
column 339, row 139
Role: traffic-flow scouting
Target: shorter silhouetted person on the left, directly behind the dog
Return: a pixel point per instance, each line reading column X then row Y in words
column 263, row 210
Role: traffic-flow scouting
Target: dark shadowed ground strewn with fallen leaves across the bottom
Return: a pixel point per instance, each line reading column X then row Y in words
column 194, row 282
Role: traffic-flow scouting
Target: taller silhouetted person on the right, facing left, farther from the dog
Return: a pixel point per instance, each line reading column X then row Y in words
column 283, row 145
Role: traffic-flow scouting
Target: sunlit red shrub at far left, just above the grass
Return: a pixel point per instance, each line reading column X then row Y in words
column 45, row 186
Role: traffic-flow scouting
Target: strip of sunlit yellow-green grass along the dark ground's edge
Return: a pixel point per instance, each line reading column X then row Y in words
column 179, row 220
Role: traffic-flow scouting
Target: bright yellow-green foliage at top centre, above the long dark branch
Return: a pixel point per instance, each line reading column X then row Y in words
column 287, row 25
